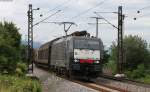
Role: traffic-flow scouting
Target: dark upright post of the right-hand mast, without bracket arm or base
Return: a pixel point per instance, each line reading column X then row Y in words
column 120, row 41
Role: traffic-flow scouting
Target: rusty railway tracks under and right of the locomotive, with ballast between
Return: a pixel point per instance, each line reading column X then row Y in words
column 107, row 86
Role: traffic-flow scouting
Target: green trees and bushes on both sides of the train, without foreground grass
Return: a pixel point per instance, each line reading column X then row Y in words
column 136, row 52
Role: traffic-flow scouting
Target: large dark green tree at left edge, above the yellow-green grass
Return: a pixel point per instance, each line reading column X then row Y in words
column 9, row 47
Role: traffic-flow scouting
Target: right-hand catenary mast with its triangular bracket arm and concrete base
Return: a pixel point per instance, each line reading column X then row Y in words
column 120, row 51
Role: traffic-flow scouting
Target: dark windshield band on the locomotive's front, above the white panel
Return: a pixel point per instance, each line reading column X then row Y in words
column 86, row 44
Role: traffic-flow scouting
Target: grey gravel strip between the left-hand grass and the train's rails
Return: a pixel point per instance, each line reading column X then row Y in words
column 52, row 83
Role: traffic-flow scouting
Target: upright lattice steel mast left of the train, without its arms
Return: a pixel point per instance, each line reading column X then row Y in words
column 30, row 38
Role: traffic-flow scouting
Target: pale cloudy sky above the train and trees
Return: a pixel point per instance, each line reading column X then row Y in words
column 79, row 12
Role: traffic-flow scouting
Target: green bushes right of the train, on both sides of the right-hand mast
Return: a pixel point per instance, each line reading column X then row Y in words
column 136, row 65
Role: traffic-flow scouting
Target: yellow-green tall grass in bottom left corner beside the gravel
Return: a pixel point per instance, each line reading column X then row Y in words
column 16, row 84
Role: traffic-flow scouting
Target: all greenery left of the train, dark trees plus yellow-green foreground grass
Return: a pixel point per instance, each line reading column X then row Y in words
column 13, row 65
